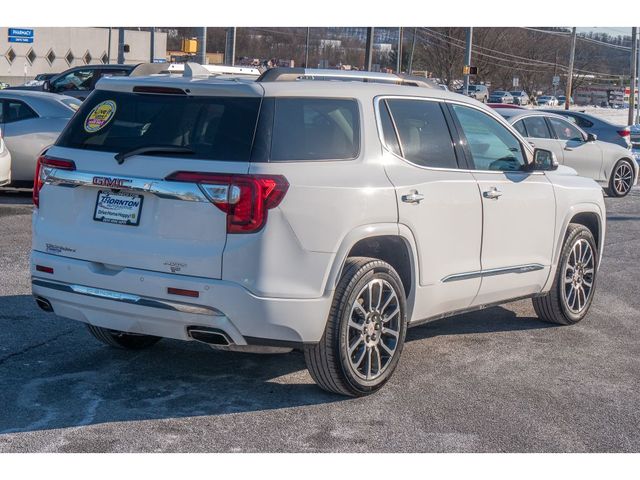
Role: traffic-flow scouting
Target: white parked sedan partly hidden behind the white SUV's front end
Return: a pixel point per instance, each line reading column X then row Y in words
column 611, row 165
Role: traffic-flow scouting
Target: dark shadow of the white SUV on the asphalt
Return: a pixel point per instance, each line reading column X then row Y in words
column 54, row 374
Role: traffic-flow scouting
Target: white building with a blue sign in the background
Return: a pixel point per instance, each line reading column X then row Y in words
column 55, row 49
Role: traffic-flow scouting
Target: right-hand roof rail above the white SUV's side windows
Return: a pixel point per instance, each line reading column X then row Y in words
column 285, row 74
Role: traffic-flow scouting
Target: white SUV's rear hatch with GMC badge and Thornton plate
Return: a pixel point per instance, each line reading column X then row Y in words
column 152, row 177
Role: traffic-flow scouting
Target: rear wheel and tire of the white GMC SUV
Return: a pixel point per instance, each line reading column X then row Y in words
column 368, row 291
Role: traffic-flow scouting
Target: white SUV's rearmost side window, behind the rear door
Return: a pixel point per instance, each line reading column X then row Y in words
column 315, row 129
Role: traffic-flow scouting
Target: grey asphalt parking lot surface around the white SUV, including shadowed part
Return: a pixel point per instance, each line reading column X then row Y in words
column 497, row 380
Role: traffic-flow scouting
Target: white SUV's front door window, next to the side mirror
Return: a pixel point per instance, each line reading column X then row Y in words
column 491, row 145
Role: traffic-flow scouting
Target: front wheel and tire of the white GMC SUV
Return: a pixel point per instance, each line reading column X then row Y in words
column 559, row 305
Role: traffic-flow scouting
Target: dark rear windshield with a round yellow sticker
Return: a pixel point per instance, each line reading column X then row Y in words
column 213, row 128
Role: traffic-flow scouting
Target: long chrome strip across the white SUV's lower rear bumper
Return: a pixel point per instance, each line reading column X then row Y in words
column 128, row 298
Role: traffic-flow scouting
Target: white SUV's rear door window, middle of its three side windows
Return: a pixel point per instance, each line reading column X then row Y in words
column 424, row 135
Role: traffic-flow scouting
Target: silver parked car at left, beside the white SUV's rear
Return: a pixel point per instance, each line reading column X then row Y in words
column 31, row 122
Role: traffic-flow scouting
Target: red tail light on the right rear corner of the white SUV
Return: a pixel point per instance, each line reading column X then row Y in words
column 244, row 198
